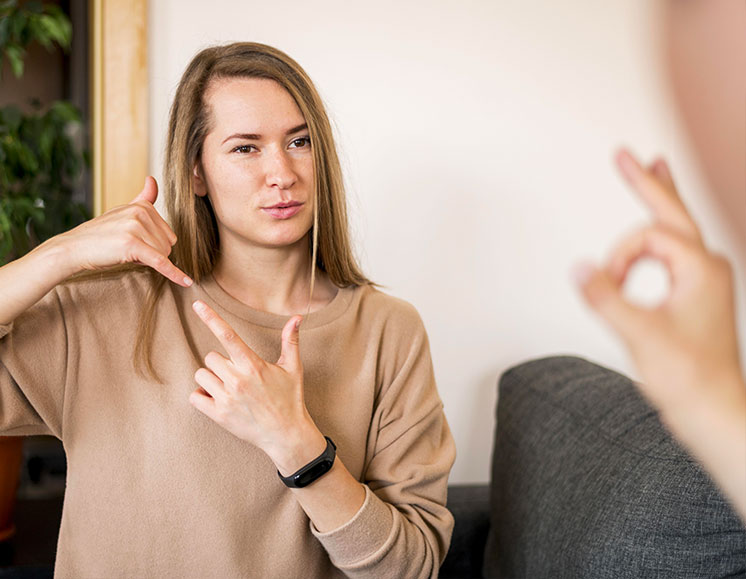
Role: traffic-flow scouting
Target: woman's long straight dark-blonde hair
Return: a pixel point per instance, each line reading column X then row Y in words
column 192, row 218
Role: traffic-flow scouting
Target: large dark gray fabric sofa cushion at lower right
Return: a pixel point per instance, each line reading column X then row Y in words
column 587, row 483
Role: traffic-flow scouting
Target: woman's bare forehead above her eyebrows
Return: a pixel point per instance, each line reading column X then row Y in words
column 253, row 105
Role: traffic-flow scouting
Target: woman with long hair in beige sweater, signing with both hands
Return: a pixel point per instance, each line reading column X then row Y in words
column 174, row 449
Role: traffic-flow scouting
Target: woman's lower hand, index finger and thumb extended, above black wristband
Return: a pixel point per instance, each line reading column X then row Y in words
column 259, row 402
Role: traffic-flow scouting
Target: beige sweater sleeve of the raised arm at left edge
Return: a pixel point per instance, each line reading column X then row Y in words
column 33, row 370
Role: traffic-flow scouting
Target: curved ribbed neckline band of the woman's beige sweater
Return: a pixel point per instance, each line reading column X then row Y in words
column 328, row 313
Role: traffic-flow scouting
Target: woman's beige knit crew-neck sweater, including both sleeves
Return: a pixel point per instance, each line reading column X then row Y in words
column 156, row 489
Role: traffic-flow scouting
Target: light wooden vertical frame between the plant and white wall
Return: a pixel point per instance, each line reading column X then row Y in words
column 119, row 85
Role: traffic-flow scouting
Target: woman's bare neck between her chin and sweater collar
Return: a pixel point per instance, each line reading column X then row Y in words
column 276, row 280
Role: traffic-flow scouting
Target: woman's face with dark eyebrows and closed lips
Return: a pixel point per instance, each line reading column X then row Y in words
column 257, row 165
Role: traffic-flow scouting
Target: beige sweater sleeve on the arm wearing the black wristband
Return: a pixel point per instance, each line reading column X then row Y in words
column 403, row 529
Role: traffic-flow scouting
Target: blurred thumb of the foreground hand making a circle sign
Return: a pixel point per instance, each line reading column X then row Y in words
column 605, row 297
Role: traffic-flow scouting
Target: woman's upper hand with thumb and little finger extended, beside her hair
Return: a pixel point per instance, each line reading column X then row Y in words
column 132, row 233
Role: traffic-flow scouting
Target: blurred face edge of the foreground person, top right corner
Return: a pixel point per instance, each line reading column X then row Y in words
column 706, row 53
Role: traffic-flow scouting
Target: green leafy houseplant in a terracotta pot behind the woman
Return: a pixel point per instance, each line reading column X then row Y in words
column 41, row 163
